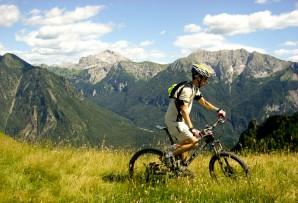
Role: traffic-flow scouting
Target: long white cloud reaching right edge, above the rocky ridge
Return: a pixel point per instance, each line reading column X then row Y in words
column 240, row 24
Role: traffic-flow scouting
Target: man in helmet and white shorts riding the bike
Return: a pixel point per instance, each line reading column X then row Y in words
column 177, row 117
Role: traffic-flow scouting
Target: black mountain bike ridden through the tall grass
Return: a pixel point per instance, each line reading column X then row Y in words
column 150, row 162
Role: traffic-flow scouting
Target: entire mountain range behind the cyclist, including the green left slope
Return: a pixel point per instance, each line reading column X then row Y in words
column 104, row 94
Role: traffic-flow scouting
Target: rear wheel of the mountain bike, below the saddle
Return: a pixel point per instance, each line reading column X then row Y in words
column 147, row 164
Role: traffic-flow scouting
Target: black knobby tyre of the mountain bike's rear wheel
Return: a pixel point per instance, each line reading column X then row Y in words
column 138, row 155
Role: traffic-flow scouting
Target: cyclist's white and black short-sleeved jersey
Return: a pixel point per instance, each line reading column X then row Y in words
column 187, row 95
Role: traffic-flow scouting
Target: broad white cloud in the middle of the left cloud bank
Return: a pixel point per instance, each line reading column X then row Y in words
column 68, row 38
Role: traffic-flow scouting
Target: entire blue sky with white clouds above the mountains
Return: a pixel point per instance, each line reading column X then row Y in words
column 161, row 31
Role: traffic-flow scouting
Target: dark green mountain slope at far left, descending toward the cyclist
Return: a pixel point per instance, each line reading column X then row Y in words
column 37, row 105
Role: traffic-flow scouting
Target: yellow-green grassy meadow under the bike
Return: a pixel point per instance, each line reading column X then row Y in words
column 31, row 173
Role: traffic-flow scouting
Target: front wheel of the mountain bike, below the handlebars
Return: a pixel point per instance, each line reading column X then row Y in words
column 226, row 164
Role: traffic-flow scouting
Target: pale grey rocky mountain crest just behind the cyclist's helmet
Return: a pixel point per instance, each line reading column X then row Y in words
column 229, row 64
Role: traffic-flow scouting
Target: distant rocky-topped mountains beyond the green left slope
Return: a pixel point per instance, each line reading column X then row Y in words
column 247, row 85
